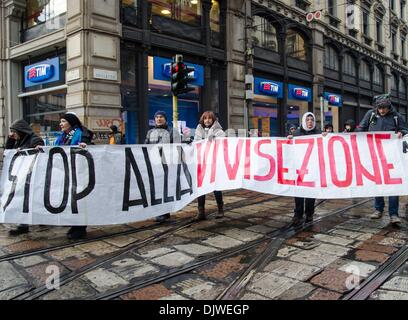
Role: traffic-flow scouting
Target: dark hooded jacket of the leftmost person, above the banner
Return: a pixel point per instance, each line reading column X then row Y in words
column 29, row 140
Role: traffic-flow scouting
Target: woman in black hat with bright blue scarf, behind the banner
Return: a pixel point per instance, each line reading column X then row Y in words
column 74, row 134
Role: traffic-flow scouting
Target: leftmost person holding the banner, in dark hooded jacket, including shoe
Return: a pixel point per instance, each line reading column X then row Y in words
column 22, row 137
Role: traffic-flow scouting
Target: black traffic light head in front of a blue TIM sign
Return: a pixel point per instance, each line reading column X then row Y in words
column 181, row 76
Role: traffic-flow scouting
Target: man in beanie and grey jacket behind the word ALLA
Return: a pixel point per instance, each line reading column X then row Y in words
column 163, row 133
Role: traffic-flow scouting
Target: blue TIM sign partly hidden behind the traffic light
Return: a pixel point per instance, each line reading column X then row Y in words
column 162, row 71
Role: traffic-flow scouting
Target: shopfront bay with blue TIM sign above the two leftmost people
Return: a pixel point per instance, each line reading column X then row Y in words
column 44, row 96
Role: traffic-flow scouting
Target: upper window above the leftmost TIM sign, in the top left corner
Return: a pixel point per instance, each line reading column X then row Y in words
column 42, row 17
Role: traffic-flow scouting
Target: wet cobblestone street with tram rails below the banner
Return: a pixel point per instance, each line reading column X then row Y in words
column 181, row 259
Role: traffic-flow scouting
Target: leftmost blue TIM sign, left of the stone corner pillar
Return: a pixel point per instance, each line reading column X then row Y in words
column 43, row 72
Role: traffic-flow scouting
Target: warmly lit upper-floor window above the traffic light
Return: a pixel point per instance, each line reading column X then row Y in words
column 181, row 10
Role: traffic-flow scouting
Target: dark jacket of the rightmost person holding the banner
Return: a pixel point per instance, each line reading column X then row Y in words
column 393, row 121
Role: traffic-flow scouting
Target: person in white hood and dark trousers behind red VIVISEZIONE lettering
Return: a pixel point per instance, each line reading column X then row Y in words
column 304, row 206
